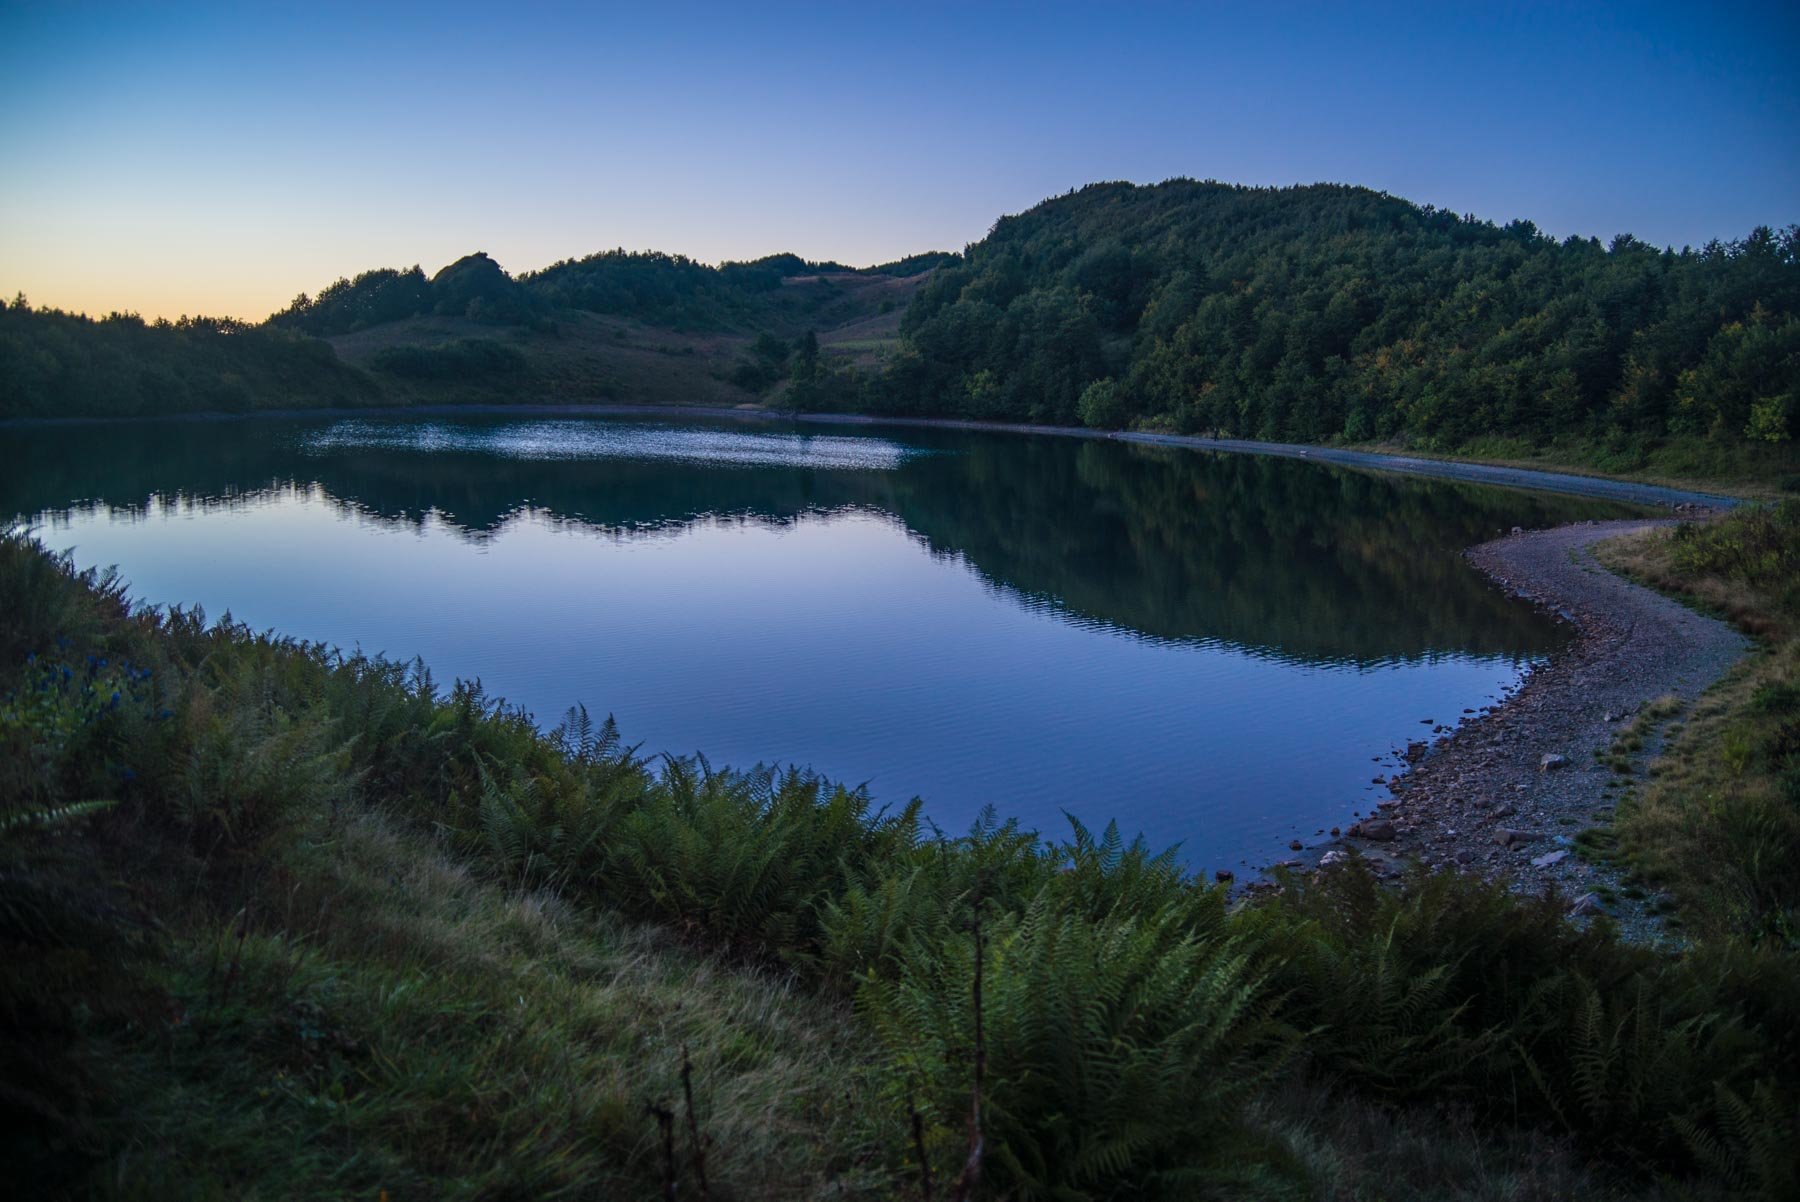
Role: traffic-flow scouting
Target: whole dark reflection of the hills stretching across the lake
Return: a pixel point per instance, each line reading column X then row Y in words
column 1277, row 557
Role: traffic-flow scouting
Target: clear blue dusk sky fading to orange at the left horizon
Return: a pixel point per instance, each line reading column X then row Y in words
column 220, row 159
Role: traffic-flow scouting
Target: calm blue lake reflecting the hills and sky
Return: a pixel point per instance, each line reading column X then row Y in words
column 1214, row 650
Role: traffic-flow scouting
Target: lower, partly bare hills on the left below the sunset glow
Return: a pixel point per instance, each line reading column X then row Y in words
column 616, row 327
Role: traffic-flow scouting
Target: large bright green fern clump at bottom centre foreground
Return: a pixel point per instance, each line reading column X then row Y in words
column 1115, row 1050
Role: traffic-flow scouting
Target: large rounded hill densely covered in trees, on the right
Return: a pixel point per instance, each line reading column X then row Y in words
column 1326, row 312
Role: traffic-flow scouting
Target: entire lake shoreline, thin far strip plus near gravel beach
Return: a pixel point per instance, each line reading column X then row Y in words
column 1482, row 773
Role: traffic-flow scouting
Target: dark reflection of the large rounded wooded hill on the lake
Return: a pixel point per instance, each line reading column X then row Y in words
column 1297, row 559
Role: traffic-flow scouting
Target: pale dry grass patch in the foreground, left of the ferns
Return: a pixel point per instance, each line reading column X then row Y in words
column 400, row 1025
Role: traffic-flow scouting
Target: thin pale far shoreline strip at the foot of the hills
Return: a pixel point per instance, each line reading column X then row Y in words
column 1533, row 480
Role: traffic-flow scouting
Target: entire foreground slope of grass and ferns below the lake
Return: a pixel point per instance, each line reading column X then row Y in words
column 345, row 933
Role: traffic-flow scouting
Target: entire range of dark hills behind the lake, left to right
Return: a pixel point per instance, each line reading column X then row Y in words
column 1304, row 314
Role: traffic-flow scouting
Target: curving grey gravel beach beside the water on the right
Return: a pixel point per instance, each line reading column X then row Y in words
column 1484, row 796
